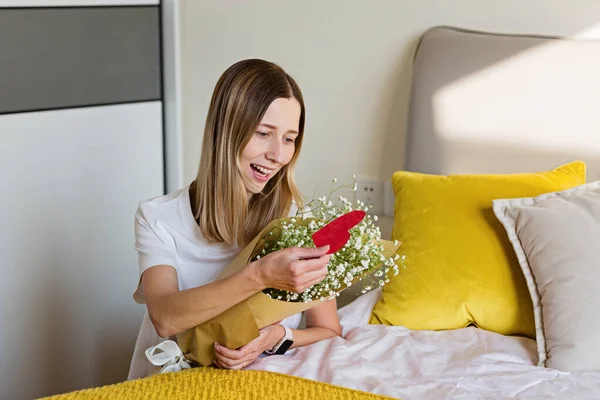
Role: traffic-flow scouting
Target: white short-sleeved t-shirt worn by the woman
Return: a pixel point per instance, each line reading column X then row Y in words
column 167, row 234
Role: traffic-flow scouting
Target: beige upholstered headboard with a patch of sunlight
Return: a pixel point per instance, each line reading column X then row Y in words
column 496, row 103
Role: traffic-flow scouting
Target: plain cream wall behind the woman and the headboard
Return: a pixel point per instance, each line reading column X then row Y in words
column 352, row 61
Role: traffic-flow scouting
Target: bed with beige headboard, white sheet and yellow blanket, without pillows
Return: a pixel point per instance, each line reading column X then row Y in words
column 480, row 103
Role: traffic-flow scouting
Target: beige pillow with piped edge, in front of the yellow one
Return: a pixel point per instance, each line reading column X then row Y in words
column 556, row 237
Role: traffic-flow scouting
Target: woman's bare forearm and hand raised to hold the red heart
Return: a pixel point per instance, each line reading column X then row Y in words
column 173, row 311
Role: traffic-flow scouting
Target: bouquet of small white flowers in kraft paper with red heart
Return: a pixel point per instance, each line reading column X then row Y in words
column 358, row 254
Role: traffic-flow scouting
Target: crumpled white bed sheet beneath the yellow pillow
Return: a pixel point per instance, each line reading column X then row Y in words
column 461, row 364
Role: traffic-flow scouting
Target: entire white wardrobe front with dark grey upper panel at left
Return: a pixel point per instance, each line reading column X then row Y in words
column 81, row 143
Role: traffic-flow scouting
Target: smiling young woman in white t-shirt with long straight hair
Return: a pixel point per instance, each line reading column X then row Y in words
column 252, row 139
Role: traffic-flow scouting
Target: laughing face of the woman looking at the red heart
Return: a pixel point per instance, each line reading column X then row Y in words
column 272, row 145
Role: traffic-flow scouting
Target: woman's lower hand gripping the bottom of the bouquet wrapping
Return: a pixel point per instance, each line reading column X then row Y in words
column 248, row 353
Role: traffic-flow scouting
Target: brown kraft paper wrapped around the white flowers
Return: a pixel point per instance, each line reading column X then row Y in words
column 241, row 323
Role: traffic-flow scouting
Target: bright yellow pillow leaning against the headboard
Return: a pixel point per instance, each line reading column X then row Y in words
column 460, row 268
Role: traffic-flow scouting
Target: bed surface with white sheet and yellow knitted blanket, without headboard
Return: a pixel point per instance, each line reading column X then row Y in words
column 375, row 362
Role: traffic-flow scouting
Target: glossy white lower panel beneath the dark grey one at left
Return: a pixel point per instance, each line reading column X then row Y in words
column 68, row 319
